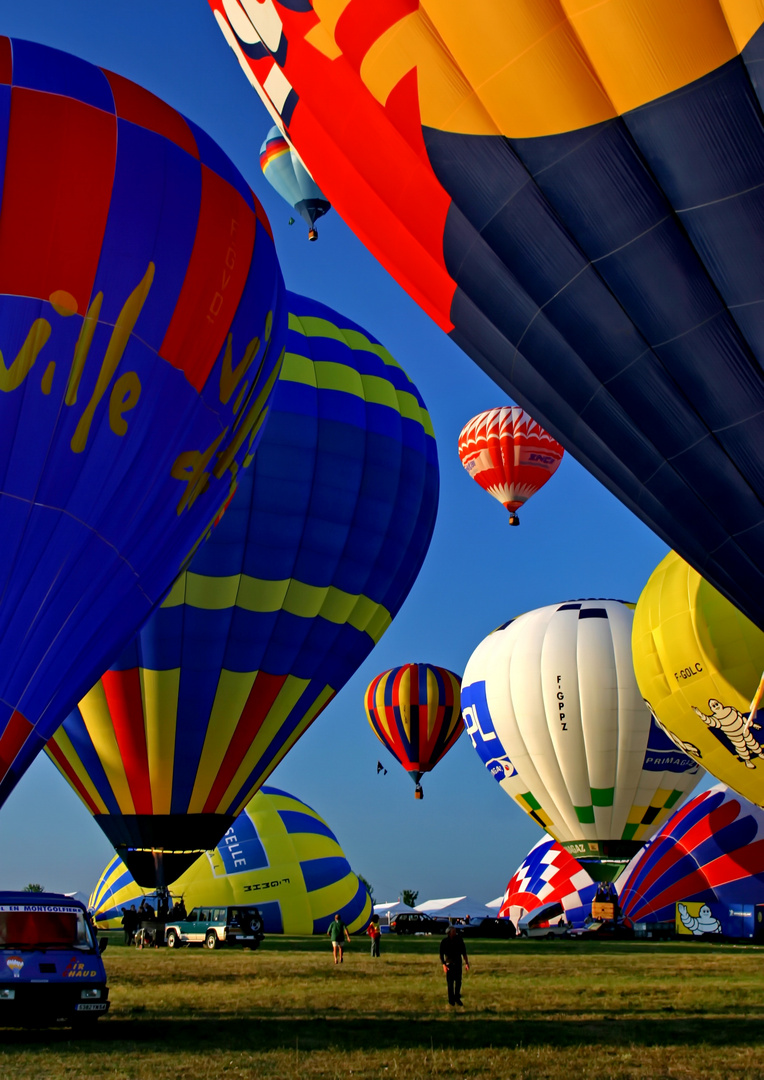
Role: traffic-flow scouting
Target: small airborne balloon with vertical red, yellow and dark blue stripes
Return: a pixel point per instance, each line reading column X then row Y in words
column 414, row 711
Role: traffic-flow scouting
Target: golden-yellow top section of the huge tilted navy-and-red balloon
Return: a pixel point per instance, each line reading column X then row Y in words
column 529, row 69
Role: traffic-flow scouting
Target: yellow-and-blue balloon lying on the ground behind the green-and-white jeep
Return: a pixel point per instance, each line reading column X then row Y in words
column 279, row 855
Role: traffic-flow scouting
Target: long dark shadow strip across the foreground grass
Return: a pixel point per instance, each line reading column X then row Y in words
column 459, row 1031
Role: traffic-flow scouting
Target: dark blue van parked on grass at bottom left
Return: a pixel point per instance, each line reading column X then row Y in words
column 51, row 966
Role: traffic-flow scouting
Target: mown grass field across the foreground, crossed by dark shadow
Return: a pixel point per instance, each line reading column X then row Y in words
column 559, row 1010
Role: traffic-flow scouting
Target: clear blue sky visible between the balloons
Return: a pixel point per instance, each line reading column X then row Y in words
column 575, row 539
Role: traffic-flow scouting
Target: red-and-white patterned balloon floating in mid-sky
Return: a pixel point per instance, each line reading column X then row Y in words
column 510, row 455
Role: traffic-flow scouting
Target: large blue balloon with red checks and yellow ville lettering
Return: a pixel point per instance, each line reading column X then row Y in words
column 142, row 322
